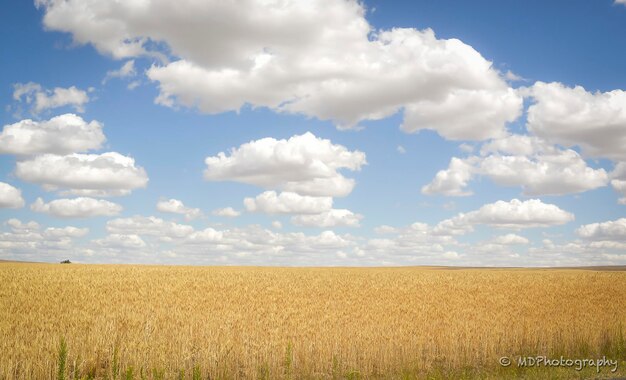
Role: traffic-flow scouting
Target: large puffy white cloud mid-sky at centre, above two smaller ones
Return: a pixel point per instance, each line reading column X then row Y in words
column 303, row 164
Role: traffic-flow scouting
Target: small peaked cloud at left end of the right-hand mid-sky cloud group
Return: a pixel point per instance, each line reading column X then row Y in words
column 451, row 181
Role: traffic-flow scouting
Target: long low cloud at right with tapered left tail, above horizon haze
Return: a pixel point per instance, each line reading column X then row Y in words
column 514, row 214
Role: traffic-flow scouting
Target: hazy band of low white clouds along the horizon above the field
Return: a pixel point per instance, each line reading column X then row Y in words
column 149, row 239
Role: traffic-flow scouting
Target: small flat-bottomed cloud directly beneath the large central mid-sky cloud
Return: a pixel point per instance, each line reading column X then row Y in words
column 270, row 202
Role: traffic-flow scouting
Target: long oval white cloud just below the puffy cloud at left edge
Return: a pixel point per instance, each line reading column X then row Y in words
column 84, row 173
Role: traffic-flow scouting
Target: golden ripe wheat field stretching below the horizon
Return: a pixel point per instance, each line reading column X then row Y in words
column 122, row 321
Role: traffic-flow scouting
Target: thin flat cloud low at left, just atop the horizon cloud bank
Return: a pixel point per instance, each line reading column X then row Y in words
column 148, row 225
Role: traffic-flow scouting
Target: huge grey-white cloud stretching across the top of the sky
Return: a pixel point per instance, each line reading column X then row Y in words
column 317, row 58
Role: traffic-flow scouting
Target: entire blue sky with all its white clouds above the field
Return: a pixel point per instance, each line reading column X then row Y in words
column 375, row 133
